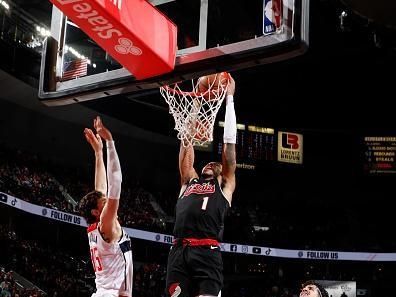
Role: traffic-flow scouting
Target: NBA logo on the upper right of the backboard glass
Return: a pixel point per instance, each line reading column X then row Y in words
column 272, row 16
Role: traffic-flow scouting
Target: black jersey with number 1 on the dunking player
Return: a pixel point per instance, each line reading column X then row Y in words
column 200, row 210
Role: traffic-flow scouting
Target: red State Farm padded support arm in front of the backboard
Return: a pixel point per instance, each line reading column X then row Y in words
column 133, row 32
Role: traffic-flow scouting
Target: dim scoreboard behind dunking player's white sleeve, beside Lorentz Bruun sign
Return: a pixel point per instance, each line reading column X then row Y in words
column 254, row 144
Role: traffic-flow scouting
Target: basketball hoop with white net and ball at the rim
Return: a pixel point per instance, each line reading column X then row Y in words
column 195, row 112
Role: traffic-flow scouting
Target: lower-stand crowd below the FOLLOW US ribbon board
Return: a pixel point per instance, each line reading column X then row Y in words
column 56, row 272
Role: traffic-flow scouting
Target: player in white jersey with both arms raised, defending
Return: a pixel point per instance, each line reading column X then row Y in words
column 109, row 244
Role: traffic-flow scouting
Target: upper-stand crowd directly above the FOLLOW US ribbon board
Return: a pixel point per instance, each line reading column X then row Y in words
column 275, row 220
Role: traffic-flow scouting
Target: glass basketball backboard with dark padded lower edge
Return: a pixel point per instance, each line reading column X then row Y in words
column 213, row 36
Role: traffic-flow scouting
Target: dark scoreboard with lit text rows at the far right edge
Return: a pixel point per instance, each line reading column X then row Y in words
column 380, row 154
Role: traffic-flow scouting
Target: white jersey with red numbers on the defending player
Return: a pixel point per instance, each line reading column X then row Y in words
column 112, row 263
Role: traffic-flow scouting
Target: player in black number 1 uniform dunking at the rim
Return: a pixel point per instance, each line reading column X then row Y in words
column 195, row 266
